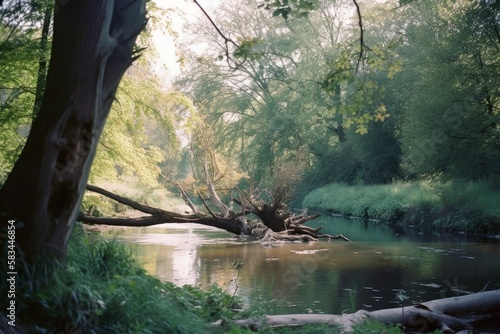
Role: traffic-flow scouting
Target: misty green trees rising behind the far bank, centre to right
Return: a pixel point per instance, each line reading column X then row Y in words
column 421, row 100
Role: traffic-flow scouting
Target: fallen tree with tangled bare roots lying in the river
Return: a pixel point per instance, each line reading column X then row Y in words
column 276, row 222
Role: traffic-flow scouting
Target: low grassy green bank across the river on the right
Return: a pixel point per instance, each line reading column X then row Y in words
column 451, row 206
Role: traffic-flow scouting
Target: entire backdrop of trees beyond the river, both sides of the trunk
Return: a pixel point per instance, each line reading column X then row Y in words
column 320, row 89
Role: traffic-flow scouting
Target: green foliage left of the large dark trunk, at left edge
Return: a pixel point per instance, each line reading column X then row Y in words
column 19, row 56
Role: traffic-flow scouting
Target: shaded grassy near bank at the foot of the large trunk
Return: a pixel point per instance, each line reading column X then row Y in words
column 100, row 288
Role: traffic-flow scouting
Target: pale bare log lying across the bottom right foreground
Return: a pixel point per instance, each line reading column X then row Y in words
column 450, row 315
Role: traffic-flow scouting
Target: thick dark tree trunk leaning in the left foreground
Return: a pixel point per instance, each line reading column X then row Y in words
column 92, row 48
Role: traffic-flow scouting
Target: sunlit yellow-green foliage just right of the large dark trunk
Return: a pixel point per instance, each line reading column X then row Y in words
column 139, row 136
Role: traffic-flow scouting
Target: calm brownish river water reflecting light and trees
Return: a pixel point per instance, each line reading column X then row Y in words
column 328, row 276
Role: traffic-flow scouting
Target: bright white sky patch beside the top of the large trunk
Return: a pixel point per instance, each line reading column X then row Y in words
column 180, row 12
